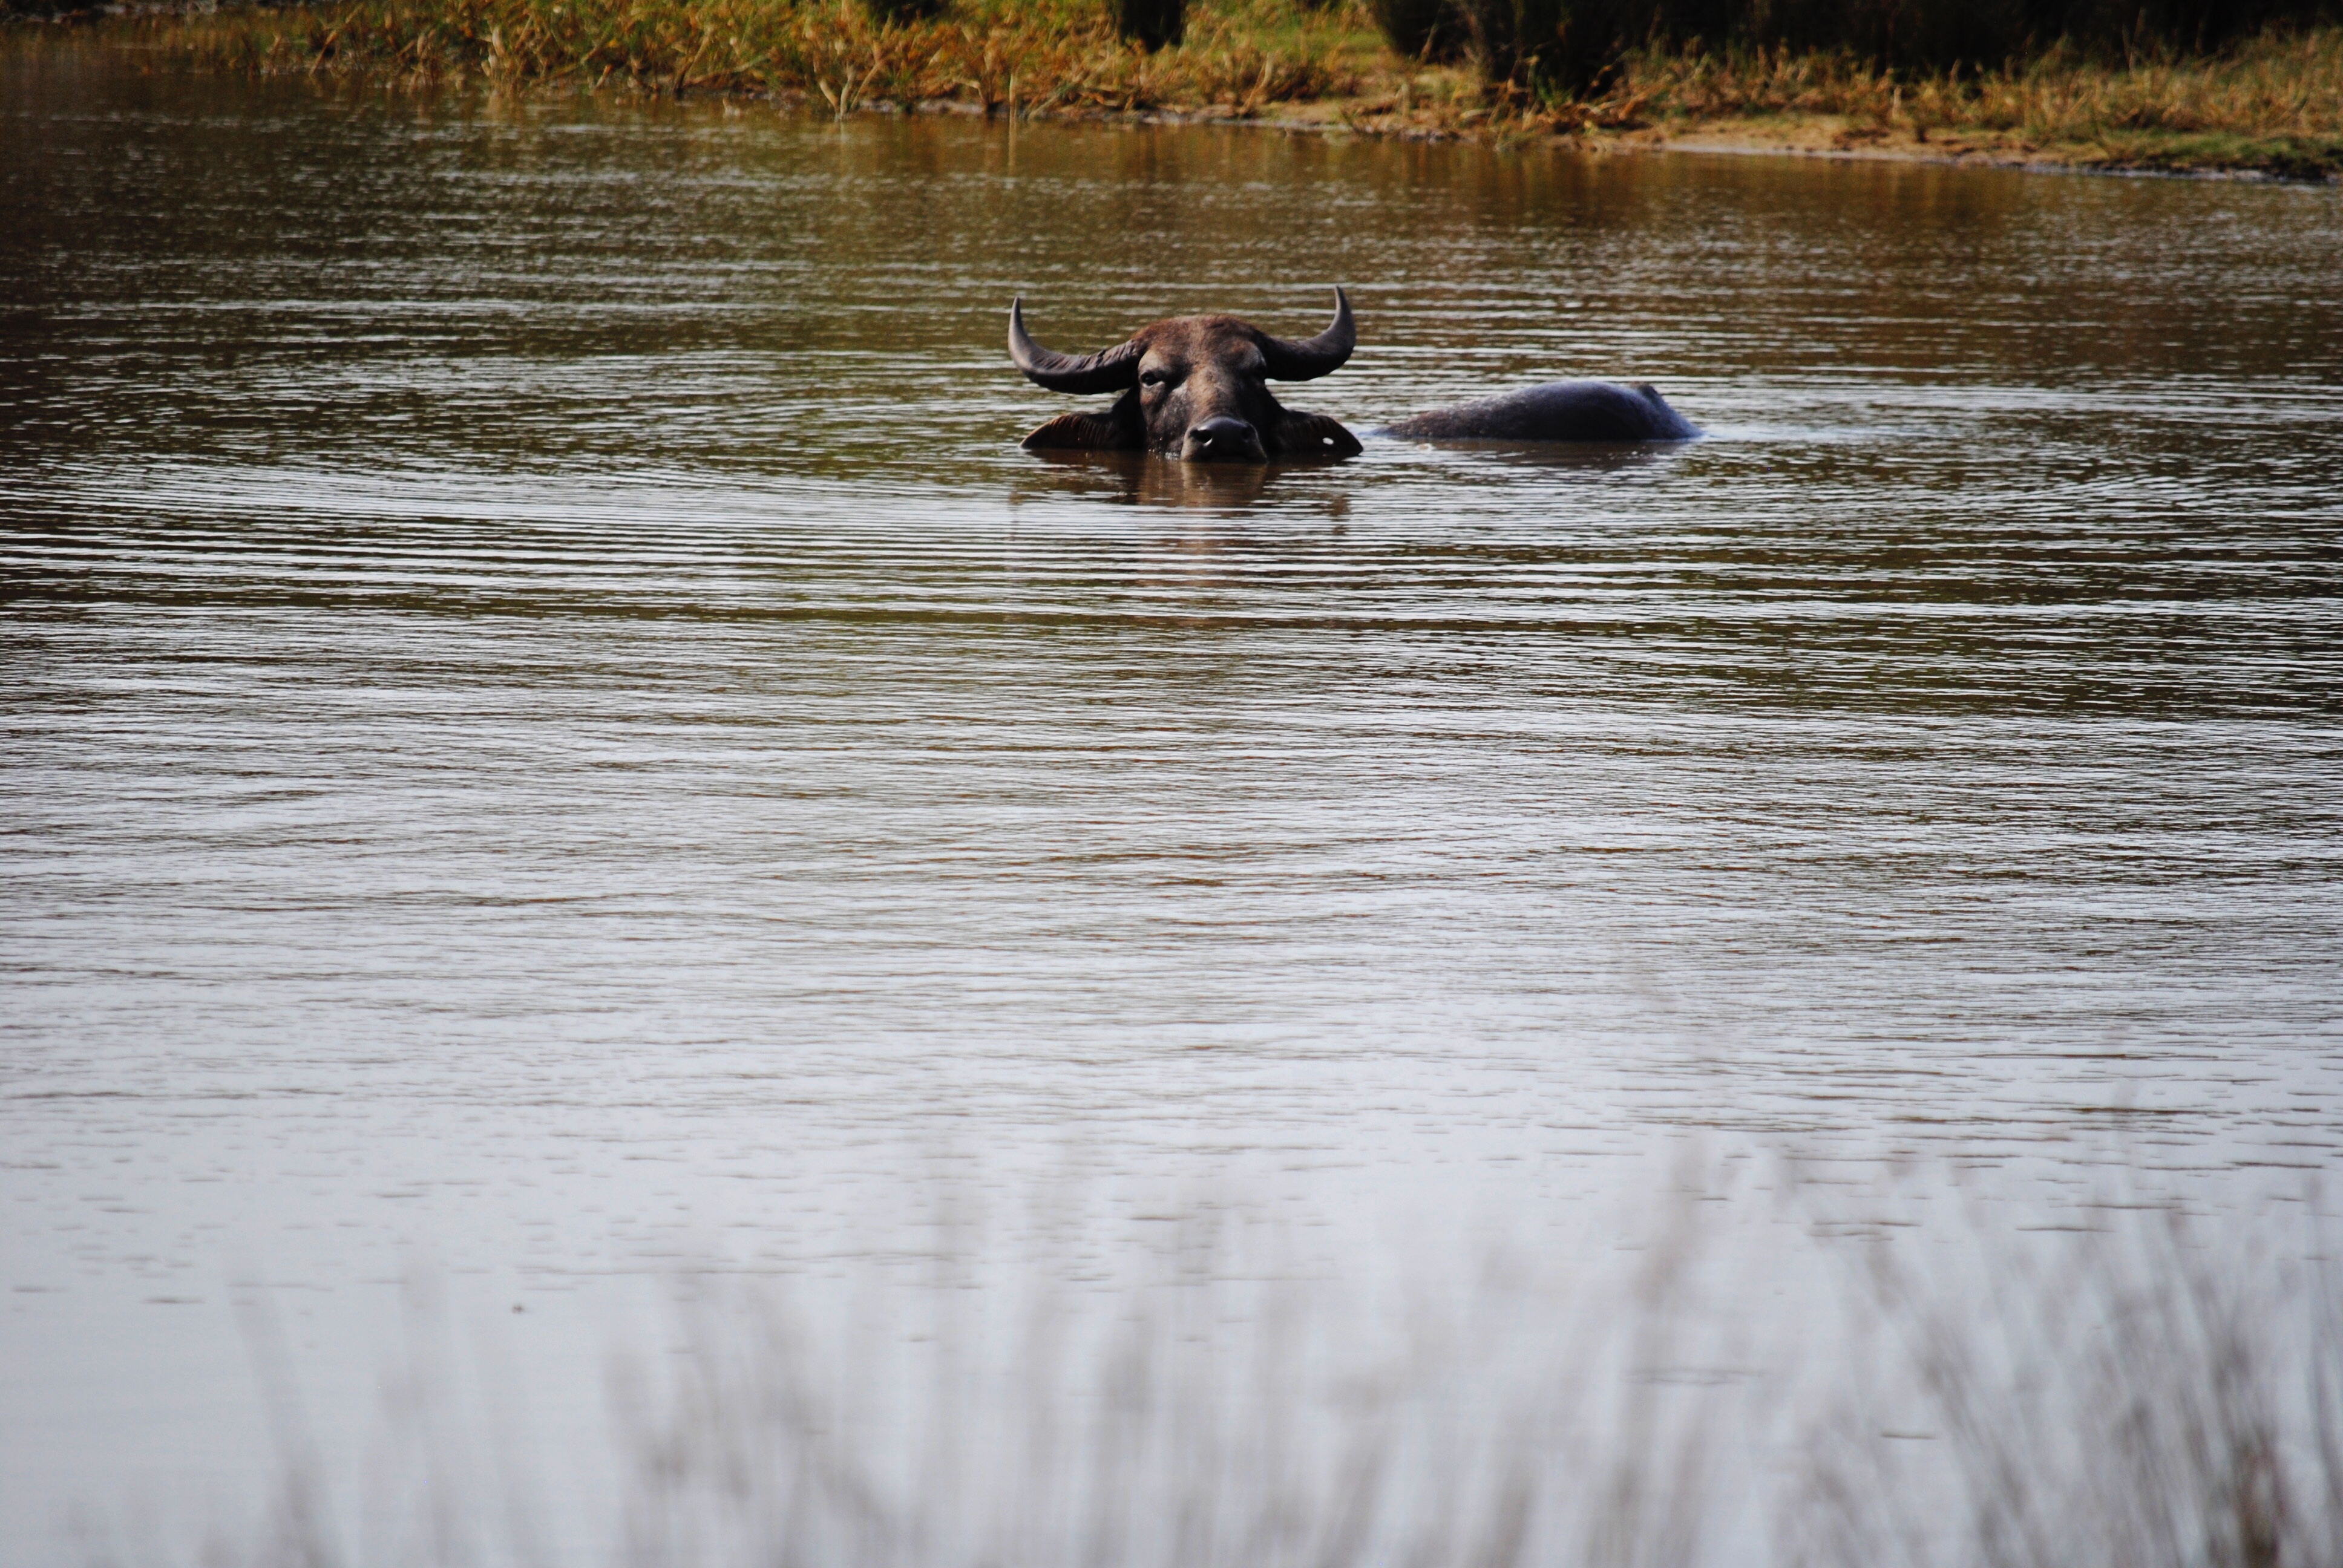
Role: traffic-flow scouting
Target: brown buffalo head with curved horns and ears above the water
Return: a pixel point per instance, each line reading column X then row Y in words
column 1194, row 388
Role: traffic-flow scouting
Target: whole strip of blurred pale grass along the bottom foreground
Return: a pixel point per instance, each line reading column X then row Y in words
column 1735, row 1372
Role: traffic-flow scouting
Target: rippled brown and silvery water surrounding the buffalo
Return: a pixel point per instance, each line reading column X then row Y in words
column 552, row 730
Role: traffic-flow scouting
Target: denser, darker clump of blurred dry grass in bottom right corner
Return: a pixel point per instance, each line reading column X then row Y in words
column 2150, row 1400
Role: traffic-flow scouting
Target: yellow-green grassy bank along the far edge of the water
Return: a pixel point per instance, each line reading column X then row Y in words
column 2269, row 104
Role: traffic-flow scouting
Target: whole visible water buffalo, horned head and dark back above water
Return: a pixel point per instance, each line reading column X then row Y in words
column 1198, row 388
